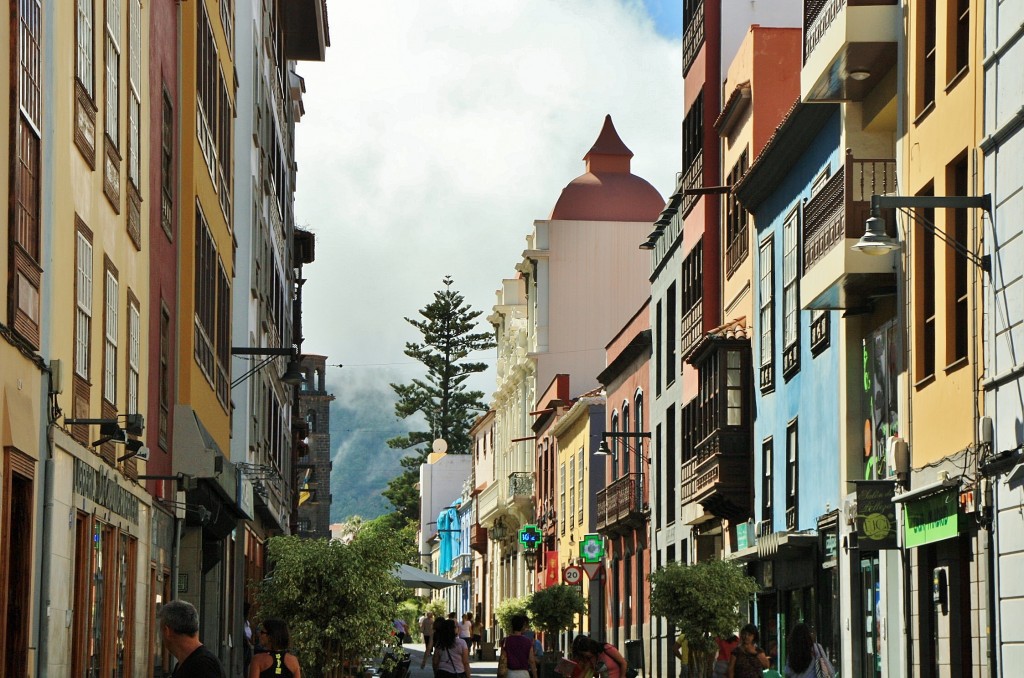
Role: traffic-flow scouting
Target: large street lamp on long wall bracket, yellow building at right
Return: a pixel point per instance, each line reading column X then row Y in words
column 877, row 242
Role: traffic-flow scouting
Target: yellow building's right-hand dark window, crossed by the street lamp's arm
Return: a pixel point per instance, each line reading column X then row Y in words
column 958, row 320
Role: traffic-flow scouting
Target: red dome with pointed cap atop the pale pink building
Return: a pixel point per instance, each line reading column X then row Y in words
column 609, row 192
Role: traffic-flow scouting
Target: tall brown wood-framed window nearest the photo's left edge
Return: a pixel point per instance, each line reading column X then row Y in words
column 25, row 278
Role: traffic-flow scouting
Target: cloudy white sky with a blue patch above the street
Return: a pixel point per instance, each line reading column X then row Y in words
column 437, row 132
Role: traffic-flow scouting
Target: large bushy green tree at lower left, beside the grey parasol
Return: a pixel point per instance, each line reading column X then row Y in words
column 338, row 600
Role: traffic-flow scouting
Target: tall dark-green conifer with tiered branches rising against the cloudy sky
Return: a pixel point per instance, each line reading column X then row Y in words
column 448, row 327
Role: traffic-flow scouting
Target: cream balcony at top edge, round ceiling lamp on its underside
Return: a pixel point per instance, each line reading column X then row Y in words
column 849, row 47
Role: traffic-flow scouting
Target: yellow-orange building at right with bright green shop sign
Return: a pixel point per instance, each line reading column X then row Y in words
column 944, row 126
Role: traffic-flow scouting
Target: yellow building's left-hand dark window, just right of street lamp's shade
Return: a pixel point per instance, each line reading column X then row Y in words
column 925, row 284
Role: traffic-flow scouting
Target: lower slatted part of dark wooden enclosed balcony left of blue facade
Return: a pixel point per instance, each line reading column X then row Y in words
column 718, row 477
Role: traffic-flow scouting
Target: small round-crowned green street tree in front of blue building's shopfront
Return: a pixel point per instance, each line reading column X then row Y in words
column 703, row 601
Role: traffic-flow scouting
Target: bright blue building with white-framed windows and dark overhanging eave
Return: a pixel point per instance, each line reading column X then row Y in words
column 797, row 399
